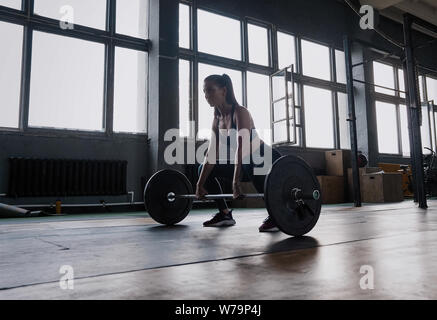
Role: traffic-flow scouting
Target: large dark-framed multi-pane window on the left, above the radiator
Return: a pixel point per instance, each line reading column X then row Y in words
column 94, row 81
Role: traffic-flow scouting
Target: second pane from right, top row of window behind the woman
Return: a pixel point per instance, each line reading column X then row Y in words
column 315, row 59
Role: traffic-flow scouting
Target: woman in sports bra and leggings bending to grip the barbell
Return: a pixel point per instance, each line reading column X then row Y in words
column 228, row 115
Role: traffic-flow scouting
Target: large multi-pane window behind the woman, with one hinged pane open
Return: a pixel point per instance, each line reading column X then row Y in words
column 220, row 38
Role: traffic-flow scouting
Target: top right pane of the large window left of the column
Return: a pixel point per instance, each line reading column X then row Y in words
column 132, row 18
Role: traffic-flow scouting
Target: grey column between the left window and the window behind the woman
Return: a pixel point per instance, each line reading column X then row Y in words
column 163, row 83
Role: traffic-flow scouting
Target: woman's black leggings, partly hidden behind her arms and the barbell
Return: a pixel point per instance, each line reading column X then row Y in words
column 226, row 171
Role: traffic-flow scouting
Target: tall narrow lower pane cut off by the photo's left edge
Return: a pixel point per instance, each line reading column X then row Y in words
column 10, row 74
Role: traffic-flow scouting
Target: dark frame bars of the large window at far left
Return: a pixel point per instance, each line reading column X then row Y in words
column 32, row 22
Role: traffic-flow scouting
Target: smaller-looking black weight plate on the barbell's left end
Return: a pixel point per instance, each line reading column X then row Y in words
column 155, row 197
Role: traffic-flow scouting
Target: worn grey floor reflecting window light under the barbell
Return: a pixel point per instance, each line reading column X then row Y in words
column 128, row 256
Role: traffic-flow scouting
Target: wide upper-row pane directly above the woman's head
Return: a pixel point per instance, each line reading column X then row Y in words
column 219, row 35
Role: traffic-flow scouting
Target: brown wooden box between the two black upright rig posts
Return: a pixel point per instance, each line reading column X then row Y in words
column 383, row 187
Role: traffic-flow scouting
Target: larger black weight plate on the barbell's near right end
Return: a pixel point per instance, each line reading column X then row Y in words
column 287, row 173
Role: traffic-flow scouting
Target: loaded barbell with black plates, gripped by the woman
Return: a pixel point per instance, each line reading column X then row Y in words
column 291, row 193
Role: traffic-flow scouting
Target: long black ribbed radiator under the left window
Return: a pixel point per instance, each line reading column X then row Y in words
column 62, row 177
